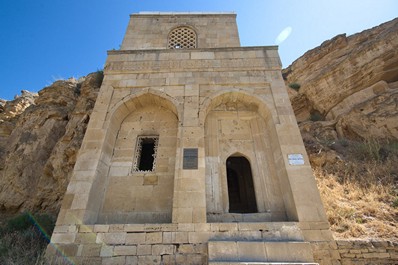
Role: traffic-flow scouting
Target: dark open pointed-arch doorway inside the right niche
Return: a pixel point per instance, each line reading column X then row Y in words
column 242, row 198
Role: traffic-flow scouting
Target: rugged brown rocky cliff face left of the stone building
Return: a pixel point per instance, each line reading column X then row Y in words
column 39, row 139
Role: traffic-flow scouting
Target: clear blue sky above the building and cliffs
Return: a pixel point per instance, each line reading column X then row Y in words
column 46, row 40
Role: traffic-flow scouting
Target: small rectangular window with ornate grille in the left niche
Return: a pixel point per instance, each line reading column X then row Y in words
column 145, row 153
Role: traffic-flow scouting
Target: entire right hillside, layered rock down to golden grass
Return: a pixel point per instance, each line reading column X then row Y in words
column 347, row 109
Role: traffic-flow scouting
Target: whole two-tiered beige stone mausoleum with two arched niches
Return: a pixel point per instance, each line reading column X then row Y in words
column 192, row 155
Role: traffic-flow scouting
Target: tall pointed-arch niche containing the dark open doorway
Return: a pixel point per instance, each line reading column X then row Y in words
column 239, row 161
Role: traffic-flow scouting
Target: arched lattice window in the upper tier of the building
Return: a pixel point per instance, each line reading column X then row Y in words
column 182, row 38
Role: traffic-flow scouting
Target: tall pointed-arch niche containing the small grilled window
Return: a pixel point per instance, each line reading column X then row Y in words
column 136, row 191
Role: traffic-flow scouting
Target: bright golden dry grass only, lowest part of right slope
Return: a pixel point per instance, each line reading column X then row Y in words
column 356, row 212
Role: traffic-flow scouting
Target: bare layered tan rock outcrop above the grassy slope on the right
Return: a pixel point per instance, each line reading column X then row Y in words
column 352, row 81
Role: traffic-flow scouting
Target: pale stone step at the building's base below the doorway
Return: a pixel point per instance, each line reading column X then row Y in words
column 259, row 252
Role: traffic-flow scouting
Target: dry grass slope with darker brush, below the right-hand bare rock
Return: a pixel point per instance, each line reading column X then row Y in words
column 360, row 191
